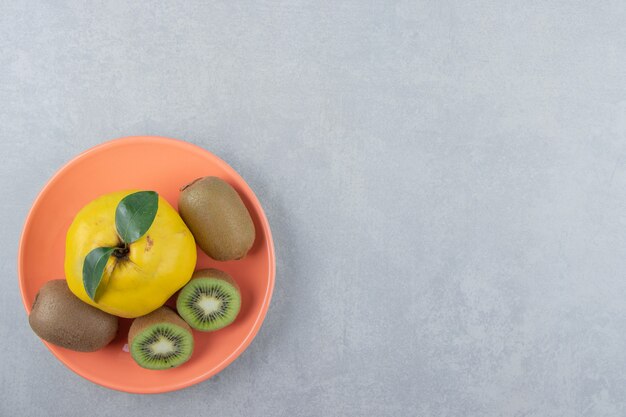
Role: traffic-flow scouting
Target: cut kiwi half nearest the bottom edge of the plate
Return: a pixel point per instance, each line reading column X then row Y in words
column 160, row 340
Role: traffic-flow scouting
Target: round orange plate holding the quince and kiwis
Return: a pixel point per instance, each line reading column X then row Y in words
column 163, row 165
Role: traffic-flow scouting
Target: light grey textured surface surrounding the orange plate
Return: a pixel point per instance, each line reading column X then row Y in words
column 446, row 183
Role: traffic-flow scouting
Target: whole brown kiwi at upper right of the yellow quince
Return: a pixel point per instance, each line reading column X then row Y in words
column 217, row 218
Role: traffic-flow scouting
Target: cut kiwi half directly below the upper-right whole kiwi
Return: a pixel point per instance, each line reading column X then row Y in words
column 210, row 301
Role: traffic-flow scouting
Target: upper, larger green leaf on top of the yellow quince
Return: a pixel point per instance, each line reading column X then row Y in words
column 134, row 215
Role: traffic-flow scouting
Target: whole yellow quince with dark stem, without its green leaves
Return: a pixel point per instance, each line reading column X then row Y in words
column 139, row 276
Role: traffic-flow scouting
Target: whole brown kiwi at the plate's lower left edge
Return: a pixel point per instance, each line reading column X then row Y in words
column 60, row 318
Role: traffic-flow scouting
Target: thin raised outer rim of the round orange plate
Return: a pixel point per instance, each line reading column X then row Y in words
column 270, row 249
